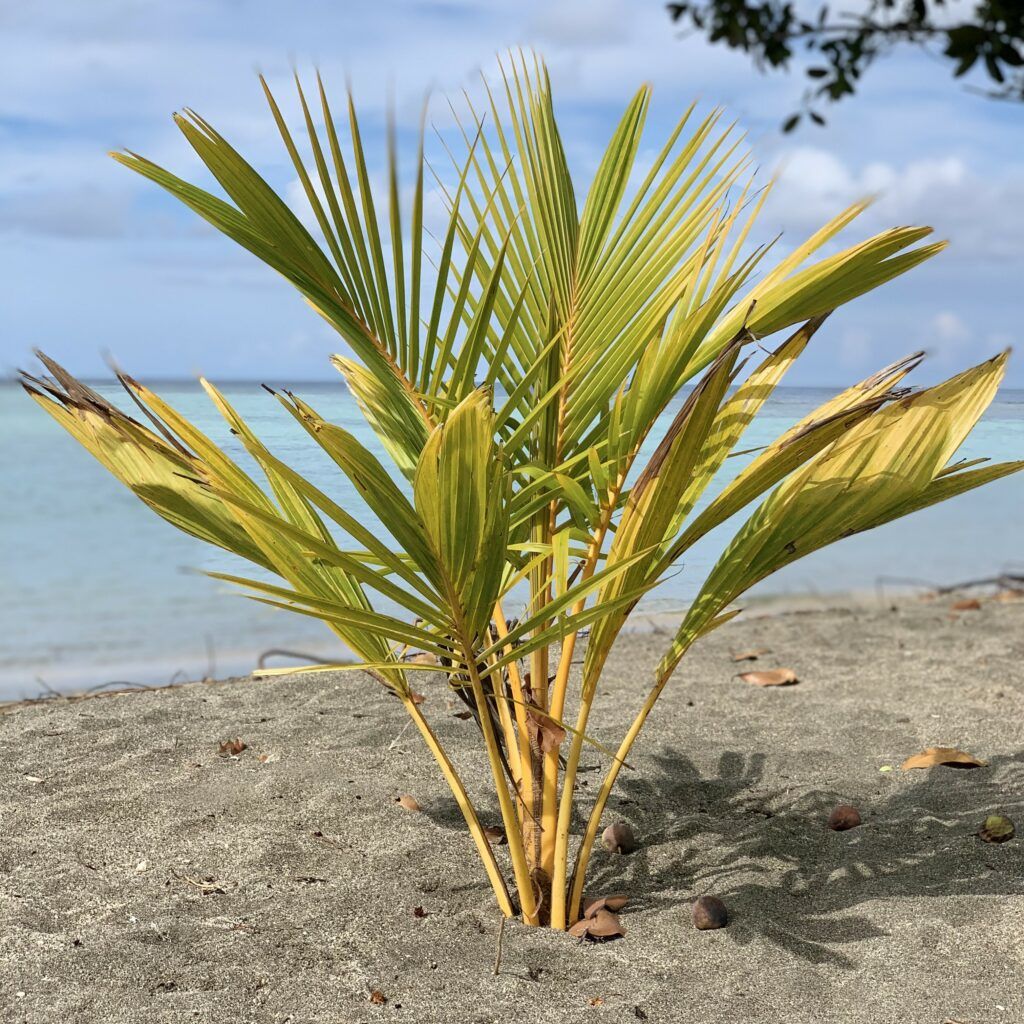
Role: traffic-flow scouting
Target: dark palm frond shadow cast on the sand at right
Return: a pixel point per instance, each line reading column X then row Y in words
column 788, row 879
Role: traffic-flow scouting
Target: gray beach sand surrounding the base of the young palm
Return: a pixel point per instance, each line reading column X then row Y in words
column 108, row 912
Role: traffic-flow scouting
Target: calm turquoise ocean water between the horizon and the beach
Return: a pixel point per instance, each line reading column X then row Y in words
column 97, row 588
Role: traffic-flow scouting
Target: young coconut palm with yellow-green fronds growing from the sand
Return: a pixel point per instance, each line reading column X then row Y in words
column 514, row 376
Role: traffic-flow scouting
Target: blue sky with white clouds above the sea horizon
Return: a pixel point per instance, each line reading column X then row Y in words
column 96, row 260
